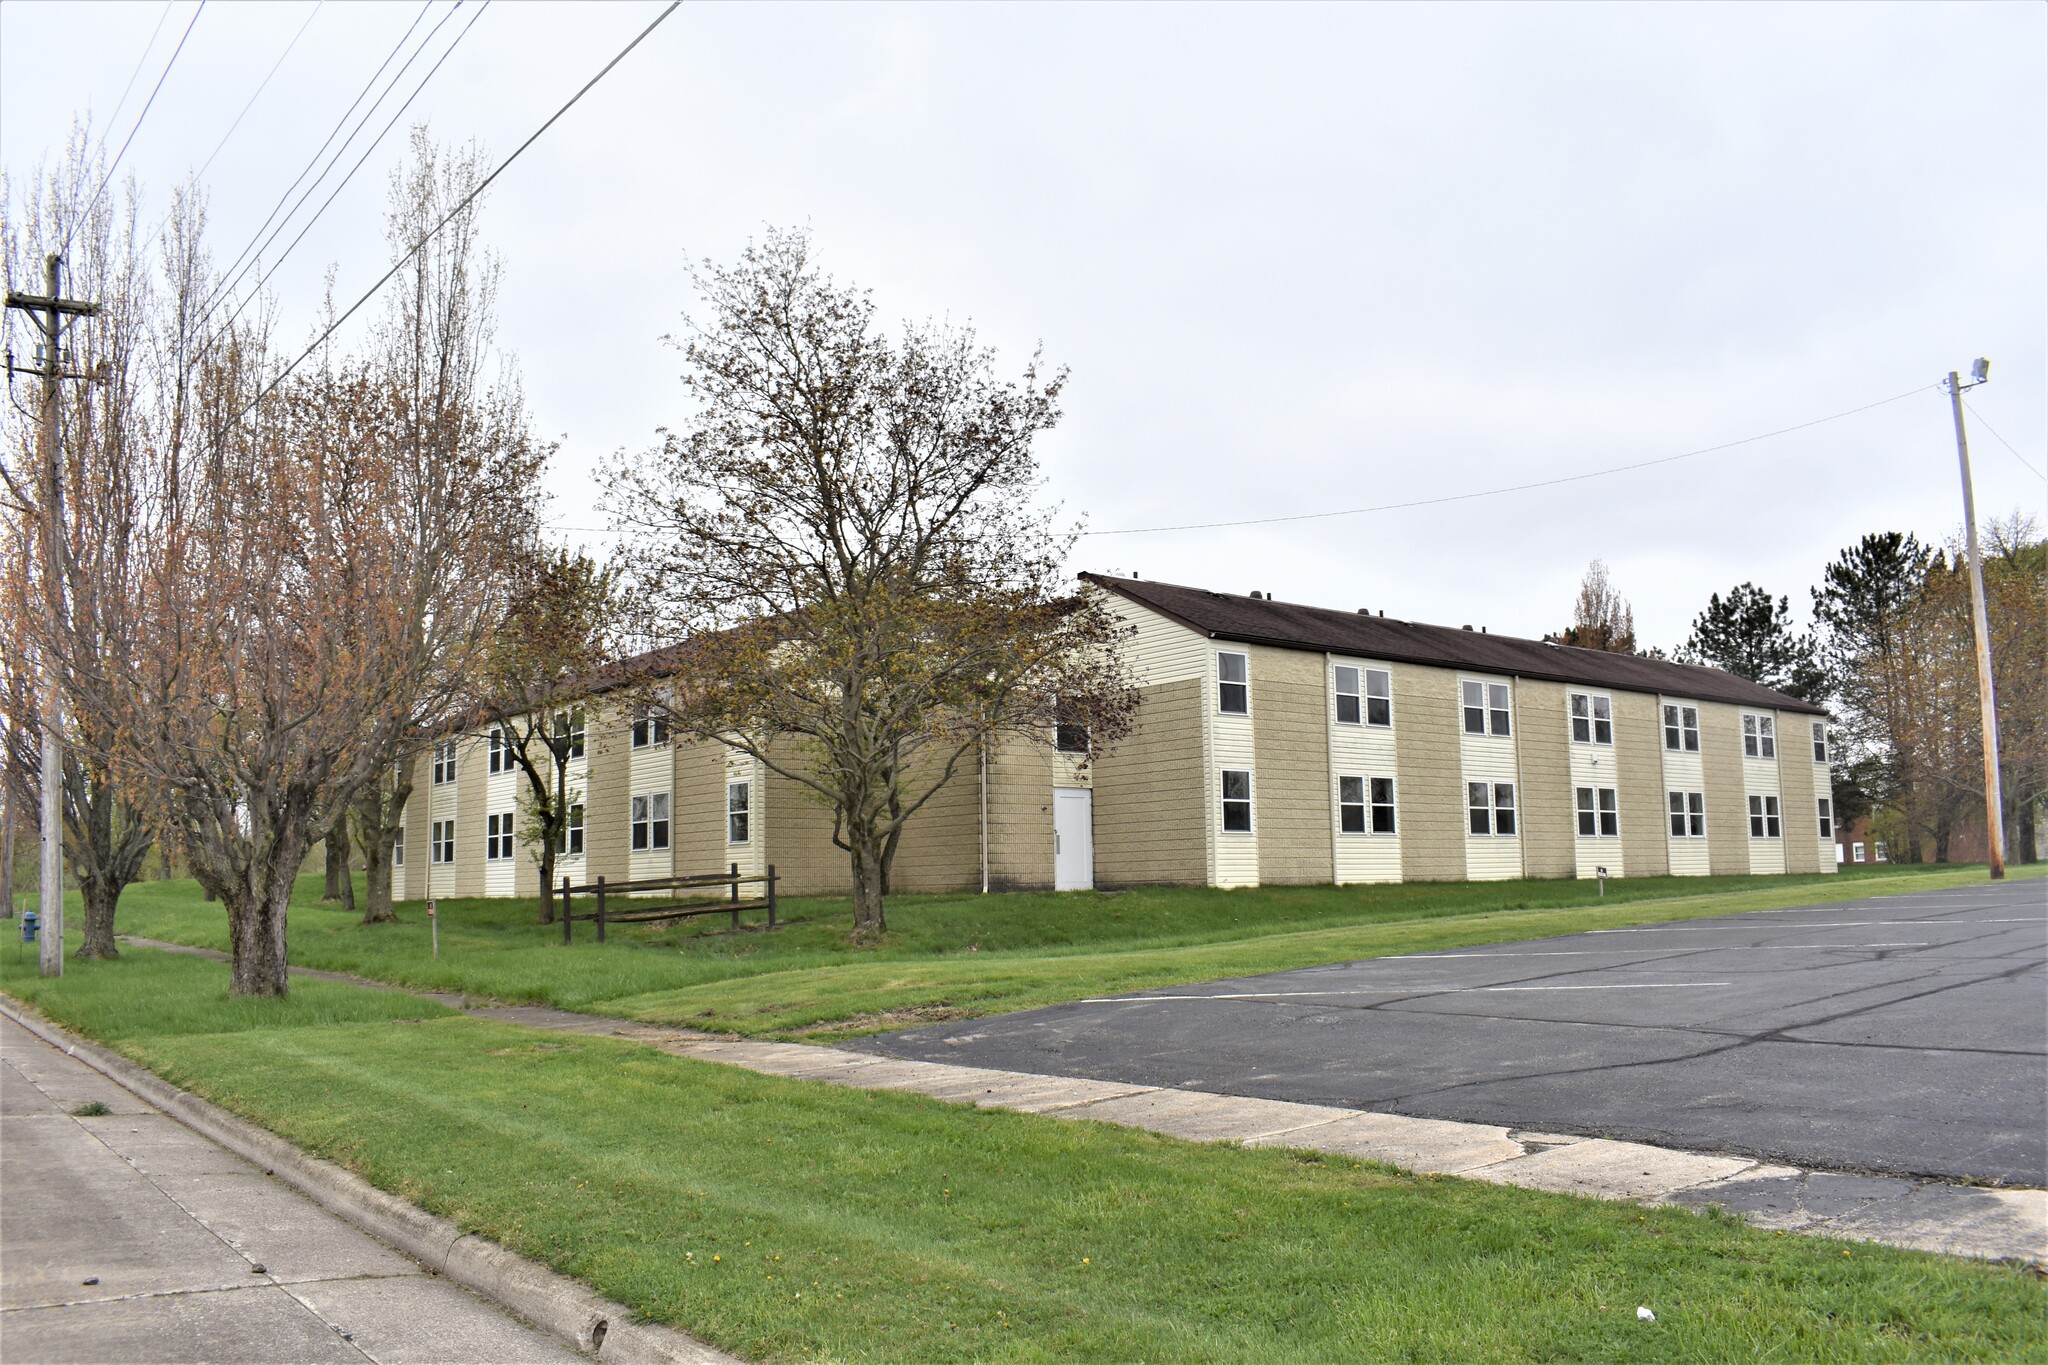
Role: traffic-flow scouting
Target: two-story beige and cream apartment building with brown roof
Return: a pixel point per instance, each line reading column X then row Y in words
column 1275, row 744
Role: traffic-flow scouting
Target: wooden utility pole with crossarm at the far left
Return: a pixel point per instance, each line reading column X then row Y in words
column 50, row 314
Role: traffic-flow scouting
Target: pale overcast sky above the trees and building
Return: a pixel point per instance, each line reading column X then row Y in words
column 1297, row 259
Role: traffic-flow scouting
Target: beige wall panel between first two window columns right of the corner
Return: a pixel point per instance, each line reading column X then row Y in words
column 1291, row 766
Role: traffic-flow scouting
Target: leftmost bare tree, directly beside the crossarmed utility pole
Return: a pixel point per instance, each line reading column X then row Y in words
column 83, row 611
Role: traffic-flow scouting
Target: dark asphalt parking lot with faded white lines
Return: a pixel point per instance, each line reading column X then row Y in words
column 1902, row 1034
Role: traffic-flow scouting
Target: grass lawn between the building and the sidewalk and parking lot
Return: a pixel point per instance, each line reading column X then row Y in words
column 957, row 957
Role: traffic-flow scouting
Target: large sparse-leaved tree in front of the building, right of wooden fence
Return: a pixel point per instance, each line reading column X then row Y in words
column 845, row 535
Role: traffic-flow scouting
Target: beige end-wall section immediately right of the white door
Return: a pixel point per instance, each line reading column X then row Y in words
column 1152, row 797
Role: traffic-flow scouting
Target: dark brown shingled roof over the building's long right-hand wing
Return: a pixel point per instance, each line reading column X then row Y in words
column 1287, row 625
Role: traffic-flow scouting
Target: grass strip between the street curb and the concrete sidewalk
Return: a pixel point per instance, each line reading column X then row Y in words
column 792, row 1221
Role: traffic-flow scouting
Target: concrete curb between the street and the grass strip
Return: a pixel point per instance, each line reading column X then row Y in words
column 540, row 1296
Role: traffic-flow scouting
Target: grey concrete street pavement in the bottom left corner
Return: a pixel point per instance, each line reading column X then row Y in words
column 128, row 1237
